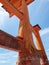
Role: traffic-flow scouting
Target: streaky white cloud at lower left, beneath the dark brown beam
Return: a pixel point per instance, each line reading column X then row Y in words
column 7, row 57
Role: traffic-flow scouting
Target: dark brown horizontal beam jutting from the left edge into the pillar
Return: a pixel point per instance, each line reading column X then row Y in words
column 9, row 42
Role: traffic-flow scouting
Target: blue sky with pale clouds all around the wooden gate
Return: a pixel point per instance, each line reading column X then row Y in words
column 39, row 14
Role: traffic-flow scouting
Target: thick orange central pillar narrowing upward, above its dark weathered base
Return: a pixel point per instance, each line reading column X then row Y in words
column 24, row 28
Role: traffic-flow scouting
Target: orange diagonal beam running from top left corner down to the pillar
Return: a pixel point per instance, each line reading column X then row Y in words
column 11, row 9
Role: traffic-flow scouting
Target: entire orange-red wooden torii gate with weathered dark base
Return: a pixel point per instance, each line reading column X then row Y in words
column 23, row 43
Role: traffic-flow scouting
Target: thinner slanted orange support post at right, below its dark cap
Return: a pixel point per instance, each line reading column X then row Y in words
column 44, row 59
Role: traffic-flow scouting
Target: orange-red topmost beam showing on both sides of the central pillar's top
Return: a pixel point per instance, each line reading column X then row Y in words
column 18, row 3
